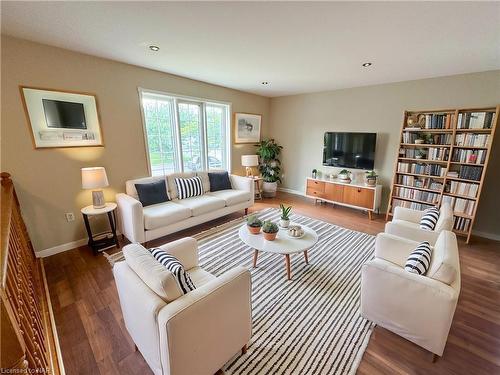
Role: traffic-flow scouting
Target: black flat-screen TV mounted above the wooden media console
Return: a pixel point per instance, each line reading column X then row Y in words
column 349, row 150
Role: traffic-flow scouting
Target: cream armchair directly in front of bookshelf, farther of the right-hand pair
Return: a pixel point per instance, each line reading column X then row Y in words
column 406, row 223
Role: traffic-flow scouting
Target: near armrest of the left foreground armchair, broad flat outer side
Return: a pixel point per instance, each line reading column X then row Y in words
column 209, row 324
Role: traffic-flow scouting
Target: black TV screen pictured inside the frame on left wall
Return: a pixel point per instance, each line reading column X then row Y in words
column 64, row 115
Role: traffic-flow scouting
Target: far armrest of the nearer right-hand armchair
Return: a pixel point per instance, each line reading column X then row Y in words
column 393, row 249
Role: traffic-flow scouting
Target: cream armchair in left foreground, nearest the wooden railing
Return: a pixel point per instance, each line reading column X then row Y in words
column 183, row 334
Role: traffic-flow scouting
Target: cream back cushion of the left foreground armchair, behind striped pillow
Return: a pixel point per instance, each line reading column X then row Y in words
column 151, row 272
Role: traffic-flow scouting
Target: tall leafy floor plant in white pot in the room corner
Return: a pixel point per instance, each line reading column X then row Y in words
column 270, row 166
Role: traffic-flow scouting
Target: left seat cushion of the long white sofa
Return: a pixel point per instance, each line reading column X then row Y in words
column 162, row 214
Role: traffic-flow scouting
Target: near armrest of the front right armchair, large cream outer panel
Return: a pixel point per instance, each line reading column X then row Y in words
column 416, row 307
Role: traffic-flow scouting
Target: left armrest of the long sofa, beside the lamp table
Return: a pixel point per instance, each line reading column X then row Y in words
column 131, row 218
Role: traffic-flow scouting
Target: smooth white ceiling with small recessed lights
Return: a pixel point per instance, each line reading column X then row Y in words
column 296, row 46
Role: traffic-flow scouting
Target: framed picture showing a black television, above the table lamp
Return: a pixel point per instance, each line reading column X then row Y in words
column 61, row 118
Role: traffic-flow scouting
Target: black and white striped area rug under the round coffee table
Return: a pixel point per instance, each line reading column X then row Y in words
column 311, row 324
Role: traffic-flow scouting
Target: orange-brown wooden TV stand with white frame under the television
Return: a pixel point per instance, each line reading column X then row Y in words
column 355, row 195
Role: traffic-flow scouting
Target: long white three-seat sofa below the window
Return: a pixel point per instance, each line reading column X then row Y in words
column 142, row 224
